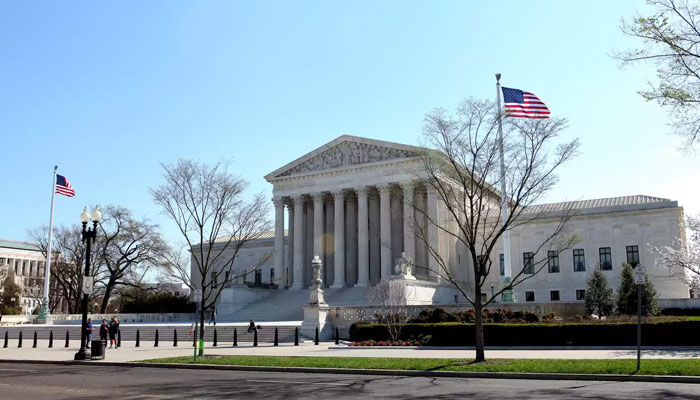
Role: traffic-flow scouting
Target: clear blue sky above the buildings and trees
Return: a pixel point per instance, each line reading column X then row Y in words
column 110, row 90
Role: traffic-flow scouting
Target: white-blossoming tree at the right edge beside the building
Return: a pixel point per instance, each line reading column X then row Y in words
column 681, row 258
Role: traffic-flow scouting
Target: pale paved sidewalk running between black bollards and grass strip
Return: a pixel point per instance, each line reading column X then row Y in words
column 327, row 349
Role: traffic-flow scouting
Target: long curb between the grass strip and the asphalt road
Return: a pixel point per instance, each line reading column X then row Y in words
column 383, row 372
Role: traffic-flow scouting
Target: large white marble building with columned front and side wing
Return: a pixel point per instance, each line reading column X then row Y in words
column 346, row 199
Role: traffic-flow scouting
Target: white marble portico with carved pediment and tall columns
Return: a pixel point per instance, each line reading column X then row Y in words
column 355, row 202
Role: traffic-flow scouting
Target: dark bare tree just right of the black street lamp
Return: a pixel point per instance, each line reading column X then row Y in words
column 129, row 249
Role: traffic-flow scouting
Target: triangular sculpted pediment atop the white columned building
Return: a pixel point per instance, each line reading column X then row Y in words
column 346, row 151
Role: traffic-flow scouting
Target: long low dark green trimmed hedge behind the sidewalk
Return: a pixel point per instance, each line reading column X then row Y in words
column 681, row 333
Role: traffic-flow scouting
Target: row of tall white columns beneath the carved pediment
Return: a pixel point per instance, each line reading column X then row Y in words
column 296, row 260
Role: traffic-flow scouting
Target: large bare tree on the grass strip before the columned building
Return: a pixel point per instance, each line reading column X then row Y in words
column 462, row 161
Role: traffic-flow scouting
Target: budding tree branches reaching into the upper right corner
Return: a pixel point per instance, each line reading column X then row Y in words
column 670, row 37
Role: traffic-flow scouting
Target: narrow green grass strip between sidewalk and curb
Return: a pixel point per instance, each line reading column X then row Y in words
column 688, row 367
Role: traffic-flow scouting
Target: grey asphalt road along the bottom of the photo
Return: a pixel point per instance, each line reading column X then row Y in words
column 35, row 381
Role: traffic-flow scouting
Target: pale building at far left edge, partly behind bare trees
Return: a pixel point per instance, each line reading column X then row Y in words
column 26, row 262
